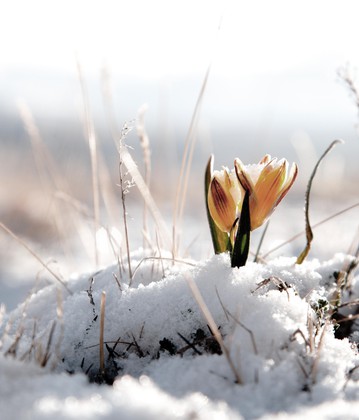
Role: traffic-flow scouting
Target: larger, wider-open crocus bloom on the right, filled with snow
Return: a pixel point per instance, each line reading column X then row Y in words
column 267, row 183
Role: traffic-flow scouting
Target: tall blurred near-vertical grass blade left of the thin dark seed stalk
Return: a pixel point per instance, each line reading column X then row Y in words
column 91, row 136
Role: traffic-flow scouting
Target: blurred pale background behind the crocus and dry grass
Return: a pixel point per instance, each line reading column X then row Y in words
column 276, row 84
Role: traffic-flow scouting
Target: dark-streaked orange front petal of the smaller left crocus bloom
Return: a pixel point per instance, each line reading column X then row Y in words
column 221, row 203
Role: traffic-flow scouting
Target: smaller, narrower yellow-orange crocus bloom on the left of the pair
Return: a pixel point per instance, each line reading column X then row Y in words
column 225, row 195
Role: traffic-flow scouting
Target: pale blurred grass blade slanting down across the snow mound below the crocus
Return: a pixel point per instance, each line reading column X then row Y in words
column 213, row 326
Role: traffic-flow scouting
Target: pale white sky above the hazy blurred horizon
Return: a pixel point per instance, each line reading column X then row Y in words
column 274, row 63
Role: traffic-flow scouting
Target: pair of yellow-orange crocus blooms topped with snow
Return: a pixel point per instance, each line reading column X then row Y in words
column 266, row 184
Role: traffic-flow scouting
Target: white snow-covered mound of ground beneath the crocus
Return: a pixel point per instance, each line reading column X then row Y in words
column 270, row 315
